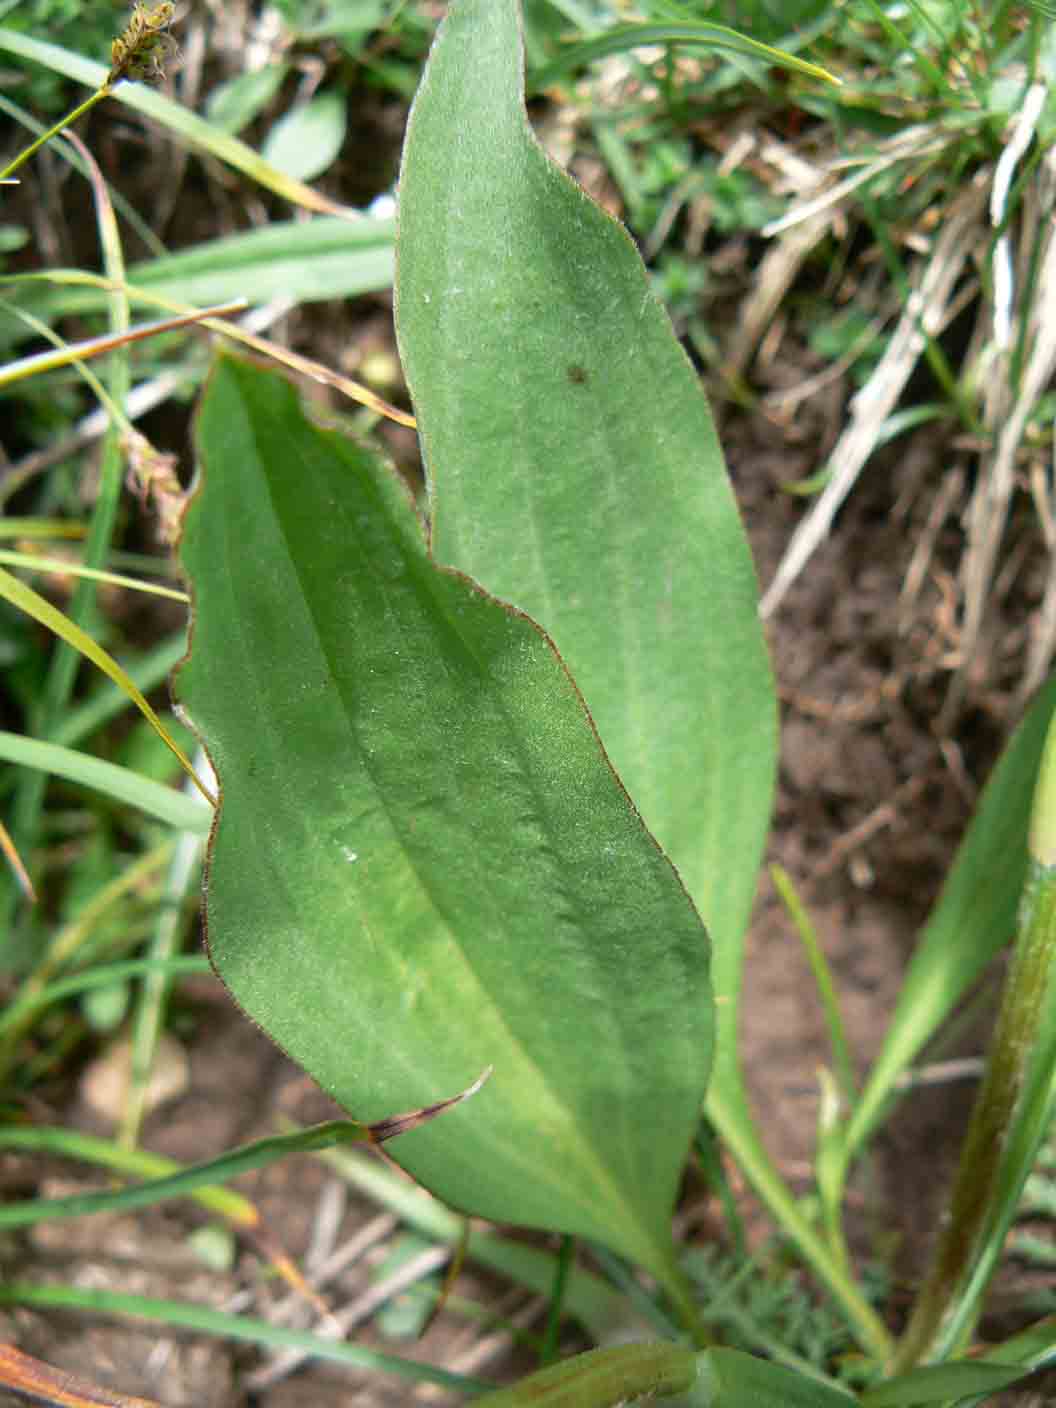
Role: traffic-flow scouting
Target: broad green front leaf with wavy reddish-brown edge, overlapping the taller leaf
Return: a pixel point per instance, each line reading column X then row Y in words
column 423, row 864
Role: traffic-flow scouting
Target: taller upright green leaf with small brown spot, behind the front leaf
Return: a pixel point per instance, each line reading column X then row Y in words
column 575, row 471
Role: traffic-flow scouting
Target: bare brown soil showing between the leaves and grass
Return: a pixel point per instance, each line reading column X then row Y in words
column 869, row 812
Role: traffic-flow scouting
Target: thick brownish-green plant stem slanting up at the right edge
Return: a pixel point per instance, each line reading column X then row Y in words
column 978, row 1182
